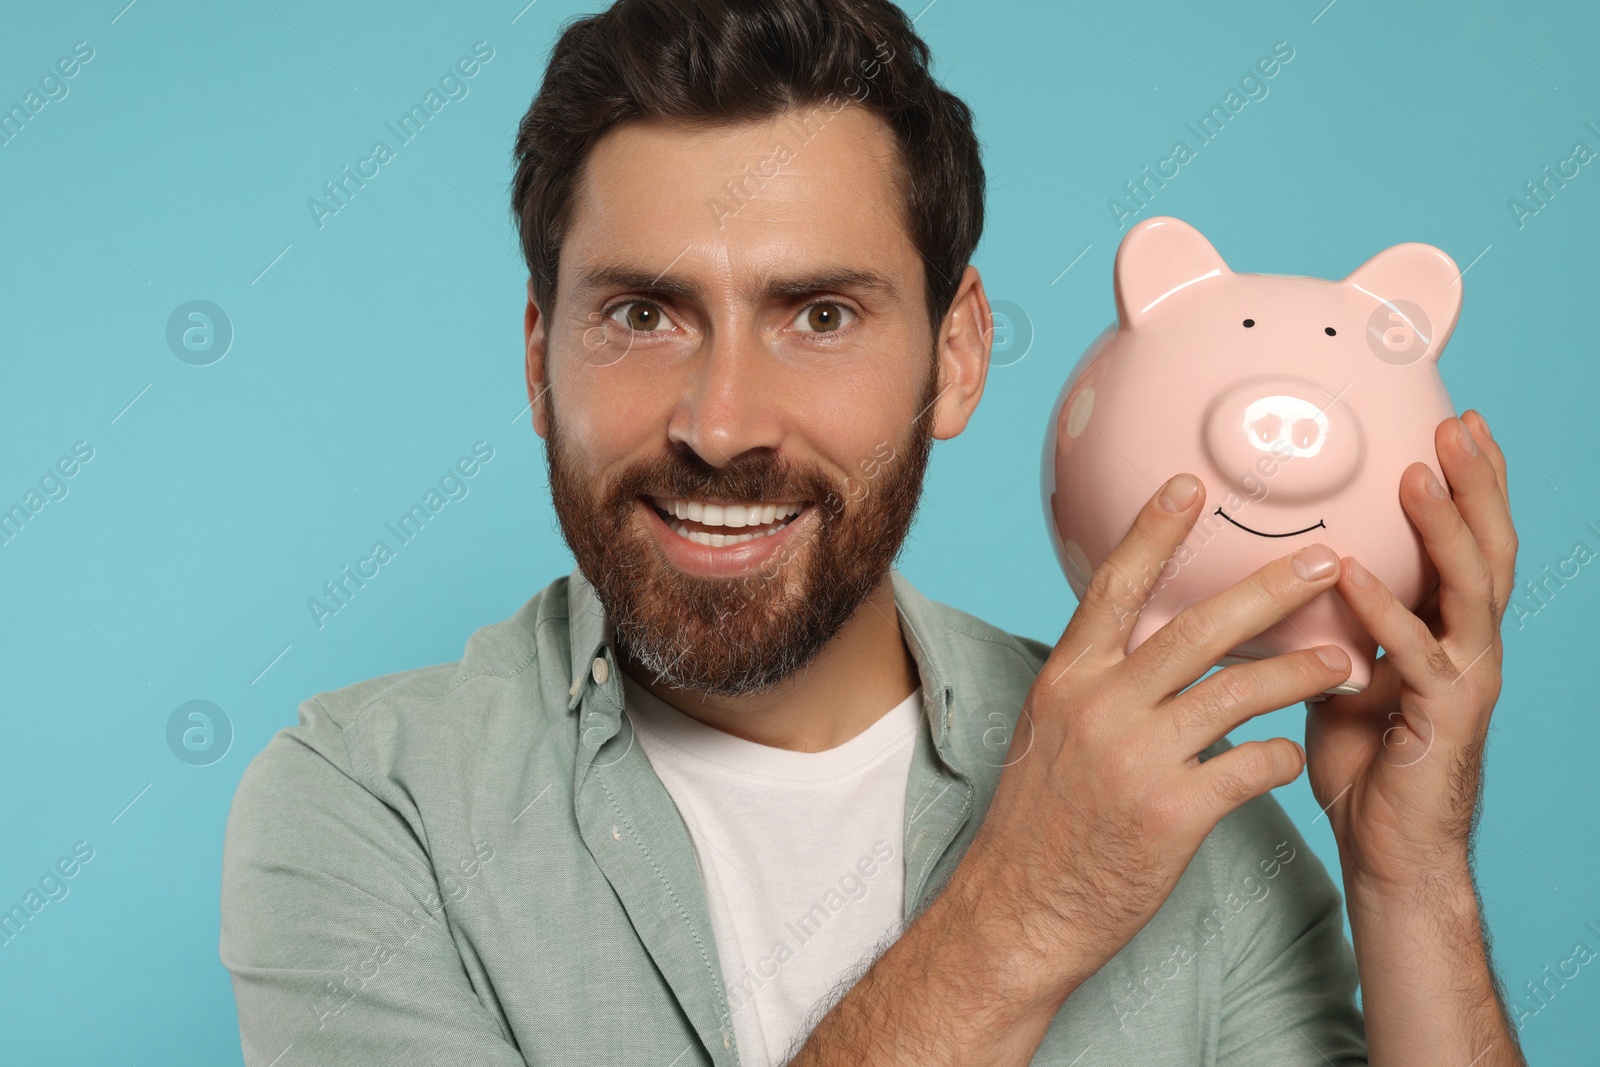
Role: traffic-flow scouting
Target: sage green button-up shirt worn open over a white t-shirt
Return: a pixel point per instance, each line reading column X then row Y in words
column 474, row 865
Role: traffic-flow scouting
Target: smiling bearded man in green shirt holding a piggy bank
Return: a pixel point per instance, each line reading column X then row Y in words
column 734, row 793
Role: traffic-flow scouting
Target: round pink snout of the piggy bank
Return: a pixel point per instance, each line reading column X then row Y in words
column 1289, row 436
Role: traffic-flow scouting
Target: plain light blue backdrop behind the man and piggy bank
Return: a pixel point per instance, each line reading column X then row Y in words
column 374, row 353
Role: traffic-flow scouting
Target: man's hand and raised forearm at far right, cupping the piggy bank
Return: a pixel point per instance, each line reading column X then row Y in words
column 1399, row 769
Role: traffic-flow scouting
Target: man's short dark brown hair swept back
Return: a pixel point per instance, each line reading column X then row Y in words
column 734, row 62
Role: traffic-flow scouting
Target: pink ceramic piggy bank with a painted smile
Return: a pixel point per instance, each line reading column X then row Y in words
column 1298, row 402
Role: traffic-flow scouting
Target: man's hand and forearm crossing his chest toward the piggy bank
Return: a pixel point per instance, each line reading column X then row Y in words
column 1087, row 836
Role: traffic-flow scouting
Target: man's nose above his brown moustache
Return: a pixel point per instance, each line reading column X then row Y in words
column 730, row 399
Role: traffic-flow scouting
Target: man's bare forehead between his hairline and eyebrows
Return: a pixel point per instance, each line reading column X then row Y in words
column 785, row 199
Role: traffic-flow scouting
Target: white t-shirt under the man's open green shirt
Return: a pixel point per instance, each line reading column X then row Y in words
column 799, row 855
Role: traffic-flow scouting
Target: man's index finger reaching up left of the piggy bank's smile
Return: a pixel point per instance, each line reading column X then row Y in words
column 1124, row 583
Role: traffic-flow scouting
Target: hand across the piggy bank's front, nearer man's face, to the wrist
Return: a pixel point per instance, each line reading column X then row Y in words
column 1089, row 836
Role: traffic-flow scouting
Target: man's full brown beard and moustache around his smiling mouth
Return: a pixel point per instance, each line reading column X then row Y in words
column 740, row 634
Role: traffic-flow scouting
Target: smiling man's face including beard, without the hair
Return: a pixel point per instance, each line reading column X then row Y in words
column 740, row 390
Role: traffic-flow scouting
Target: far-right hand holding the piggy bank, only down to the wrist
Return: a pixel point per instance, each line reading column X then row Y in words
column 1399, row 765
